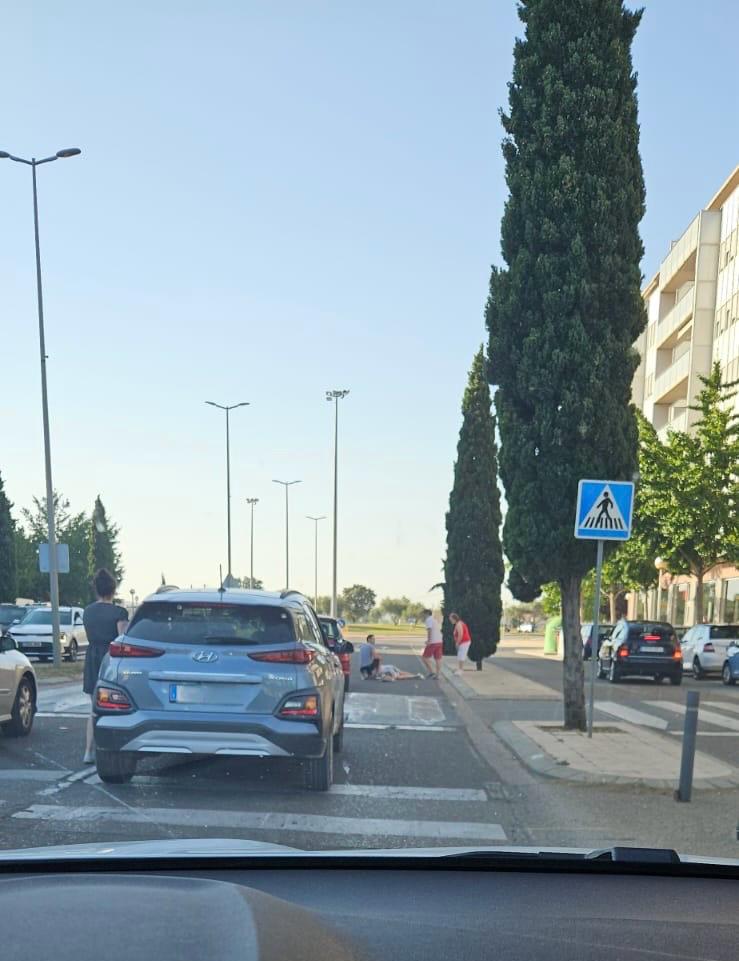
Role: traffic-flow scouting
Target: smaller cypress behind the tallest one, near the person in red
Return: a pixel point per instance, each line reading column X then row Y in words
column 473, row 570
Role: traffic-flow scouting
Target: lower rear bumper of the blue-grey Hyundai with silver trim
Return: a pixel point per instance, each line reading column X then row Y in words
column 161, row 732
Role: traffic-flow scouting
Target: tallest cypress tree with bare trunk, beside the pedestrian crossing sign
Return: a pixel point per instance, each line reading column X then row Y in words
column 564, row 313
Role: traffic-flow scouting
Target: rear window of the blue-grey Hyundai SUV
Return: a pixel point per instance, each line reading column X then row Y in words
column 195, row 623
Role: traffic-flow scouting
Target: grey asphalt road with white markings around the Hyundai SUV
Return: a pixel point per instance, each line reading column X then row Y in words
column 419, row 768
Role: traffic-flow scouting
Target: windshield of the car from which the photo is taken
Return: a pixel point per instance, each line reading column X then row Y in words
column 418, row 317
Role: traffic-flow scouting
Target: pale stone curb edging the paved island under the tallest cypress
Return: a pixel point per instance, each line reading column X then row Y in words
column 537, row 760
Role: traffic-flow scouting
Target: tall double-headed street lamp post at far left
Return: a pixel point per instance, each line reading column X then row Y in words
column 50, row 520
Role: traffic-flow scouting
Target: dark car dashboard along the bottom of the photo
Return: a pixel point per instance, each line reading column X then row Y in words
column 369, row 912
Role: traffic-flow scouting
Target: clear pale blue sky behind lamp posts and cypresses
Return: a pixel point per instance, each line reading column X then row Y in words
column 275, row 199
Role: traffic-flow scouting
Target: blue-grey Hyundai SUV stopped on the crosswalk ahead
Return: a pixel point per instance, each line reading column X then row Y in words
column 239, row 673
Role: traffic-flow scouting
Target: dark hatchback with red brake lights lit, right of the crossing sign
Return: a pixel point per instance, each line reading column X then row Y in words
column 641, row 649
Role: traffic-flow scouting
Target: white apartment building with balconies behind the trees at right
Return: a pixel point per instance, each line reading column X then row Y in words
column 692, row 320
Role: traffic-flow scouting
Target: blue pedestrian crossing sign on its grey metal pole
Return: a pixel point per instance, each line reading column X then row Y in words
column 604, row 511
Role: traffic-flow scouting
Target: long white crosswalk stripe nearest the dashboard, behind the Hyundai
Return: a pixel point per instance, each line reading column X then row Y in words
column 270, row 821
